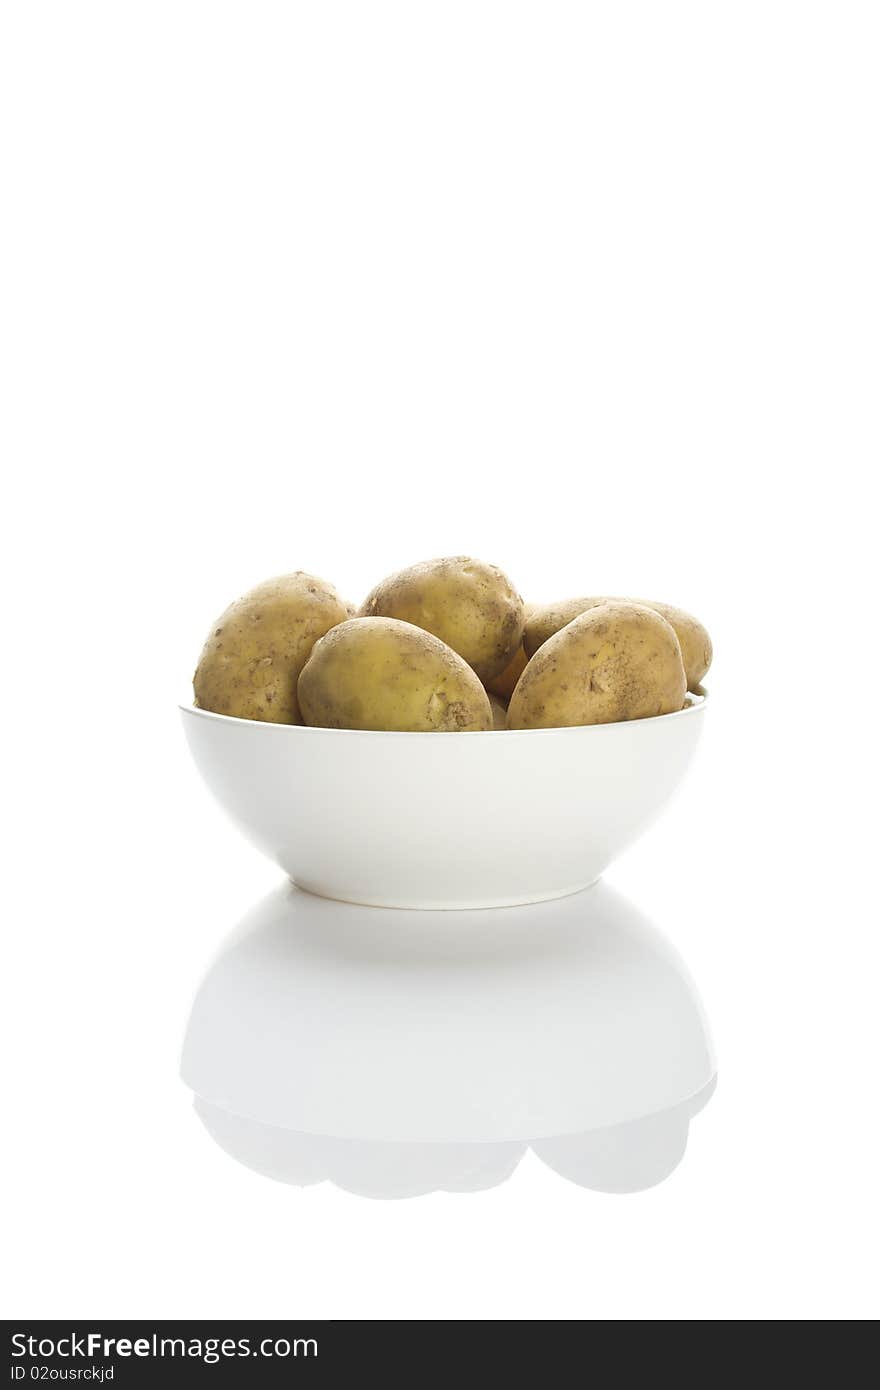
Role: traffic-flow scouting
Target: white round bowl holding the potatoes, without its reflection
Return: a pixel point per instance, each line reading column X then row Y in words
column 444, row 821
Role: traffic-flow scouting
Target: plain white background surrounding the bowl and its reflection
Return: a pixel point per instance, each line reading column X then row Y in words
column 590, row 291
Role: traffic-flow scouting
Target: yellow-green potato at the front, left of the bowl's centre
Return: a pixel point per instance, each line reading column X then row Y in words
column 382, row 673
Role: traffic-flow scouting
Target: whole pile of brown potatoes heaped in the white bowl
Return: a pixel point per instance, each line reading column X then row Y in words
column 447, row 647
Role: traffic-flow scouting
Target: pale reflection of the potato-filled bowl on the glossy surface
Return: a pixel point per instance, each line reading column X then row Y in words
column 397, row 1053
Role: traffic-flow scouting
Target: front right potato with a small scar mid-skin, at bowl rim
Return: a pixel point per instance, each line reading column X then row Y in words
column 614, row 662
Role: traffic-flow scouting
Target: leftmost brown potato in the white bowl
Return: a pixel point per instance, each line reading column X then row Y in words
column 252, row 660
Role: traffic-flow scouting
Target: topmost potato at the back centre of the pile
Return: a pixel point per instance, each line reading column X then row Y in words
column 472, row 607
